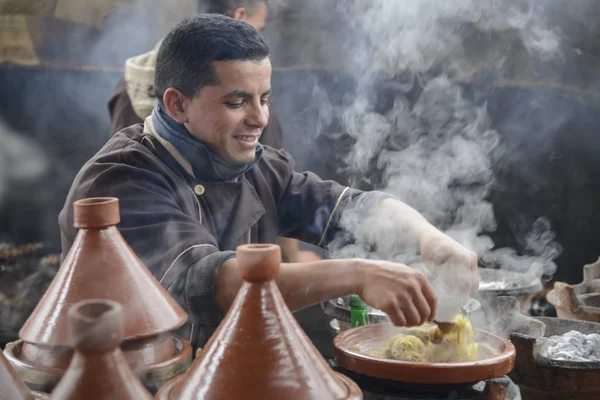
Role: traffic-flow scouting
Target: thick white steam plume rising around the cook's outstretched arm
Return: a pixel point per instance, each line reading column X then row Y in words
column 431, row 144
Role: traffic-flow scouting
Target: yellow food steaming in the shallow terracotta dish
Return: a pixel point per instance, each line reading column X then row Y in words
column 429, row 344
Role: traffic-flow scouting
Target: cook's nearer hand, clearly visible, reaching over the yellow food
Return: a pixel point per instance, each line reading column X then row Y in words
column 403, row 293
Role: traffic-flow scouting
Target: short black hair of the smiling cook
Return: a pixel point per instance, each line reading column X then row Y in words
column 185, row 57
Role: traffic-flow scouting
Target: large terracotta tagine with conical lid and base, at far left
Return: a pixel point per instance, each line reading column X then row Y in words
column 101, row 265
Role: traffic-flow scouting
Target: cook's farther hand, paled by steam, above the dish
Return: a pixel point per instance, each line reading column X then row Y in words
column 451, row 261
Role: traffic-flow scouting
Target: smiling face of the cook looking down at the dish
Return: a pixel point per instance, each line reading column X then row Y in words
column 229, row 117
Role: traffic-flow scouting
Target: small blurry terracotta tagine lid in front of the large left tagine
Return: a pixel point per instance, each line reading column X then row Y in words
column 98, row 369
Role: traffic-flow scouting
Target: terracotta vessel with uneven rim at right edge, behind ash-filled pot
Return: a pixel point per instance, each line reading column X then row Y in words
column 581, row 301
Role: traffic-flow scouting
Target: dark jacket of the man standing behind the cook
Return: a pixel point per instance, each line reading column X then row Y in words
column 122, row 115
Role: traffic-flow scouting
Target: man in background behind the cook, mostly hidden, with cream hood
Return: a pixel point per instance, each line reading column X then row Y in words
column 134, row 99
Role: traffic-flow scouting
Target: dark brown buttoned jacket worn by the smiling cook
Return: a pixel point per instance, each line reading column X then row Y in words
column 184, row 228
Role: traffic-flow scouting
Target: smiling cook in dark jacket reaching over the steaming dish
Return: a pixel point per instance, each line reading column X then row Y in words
column 194, row 183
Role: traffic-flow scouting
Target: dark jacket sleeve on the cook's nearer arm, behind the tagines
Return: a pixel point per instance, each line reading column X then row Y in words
column 179, row 250
